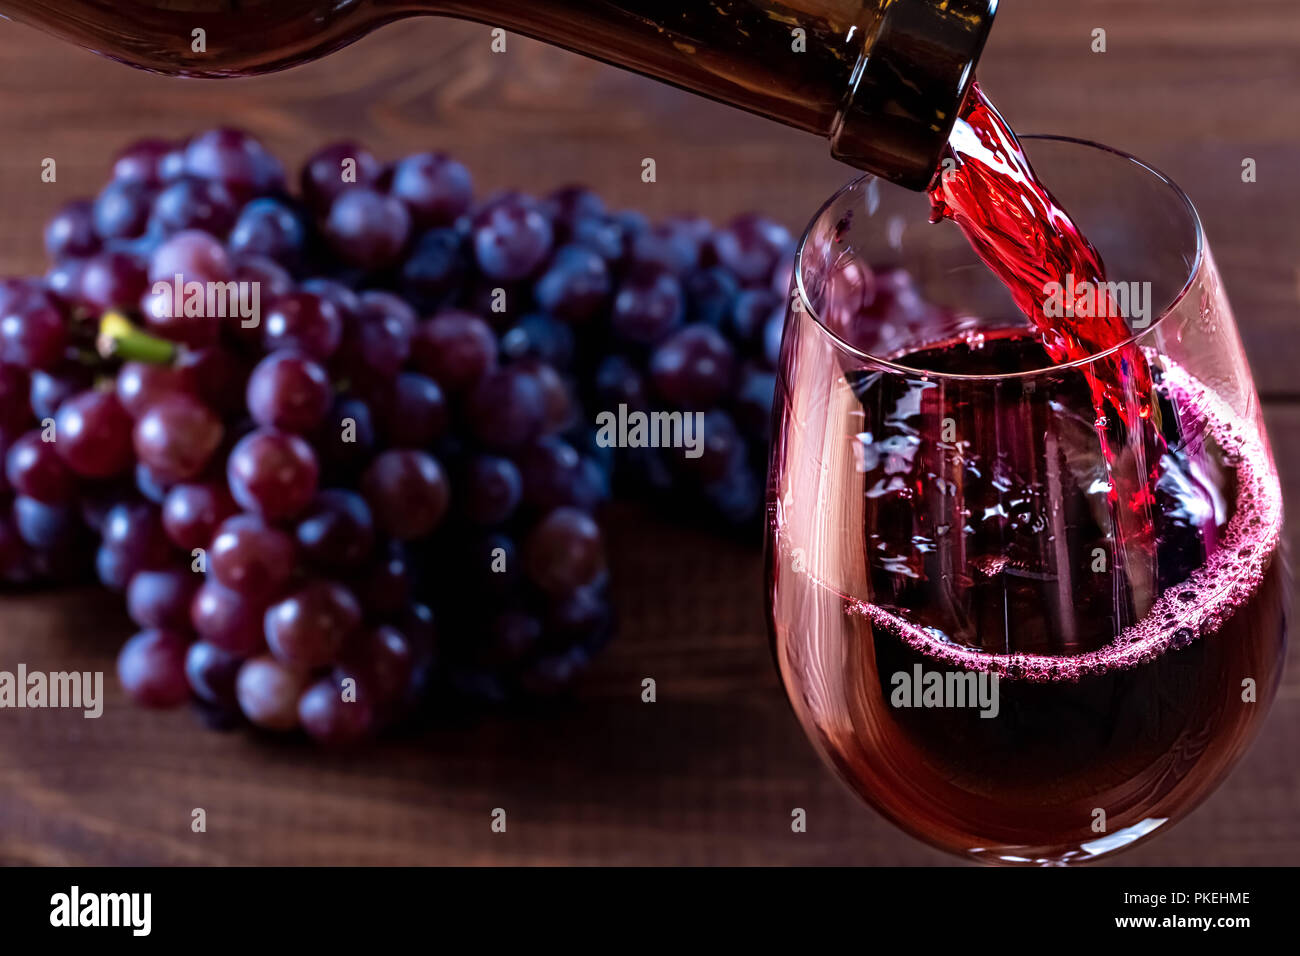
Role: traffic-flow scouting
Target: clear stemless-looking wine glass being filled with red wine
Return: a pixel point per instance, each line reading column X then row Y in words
column 1025, row 631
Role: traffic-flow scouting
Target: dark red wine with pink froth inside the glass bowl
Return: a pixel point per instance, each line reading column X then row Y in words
column 1115, row 697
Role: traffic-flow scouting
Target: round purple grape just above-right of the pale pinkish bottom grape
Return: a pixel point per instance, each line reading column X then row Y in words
column 307, row 630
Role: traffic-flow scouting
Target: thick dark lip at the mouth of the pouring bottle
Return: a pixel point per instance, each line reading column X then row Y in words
column 917, row 64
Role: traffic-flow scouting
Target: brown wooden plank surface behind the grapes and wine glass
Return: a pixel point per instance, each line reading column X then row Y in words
column 712, row 772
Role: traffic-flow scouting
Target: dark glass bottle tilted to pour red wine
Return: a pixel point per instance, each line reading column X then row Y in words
column 882, row 80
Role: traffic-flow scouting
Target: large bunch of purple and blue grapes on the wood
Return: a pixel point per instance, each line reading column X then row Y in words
column 309, row 504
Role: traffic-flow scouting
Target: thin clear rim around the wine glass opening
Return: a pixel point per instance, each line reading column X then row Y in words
column 1195, row 267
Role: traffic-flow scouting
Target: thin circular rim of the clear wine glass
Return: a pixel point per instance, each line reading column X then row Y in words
column 1180, row 287
